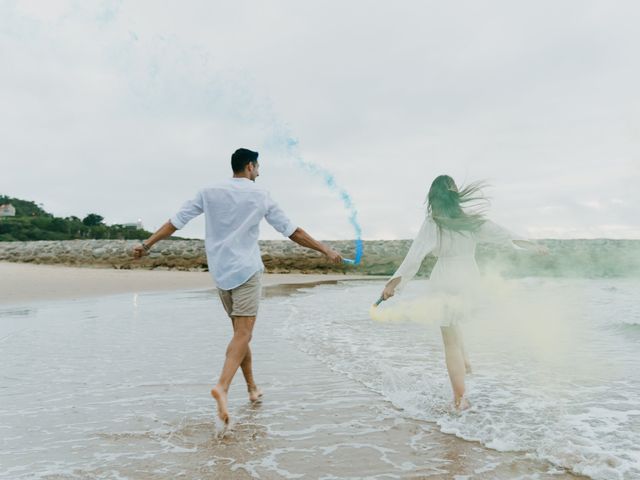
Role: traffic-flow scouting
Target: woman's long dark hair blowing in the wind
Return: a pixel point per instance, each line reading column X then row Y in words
column 457, row 210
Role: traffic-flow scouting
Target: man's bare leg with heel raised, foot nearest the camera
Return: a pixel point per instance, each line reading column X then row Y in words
column 236, row 353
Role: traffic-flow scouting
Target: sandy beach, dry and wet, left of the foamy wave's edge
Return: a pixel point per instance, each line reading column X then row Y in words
column 149, row 416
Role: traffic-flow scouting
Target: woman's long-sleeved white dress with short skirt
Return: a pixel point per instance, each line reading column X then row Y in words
column 455, row 278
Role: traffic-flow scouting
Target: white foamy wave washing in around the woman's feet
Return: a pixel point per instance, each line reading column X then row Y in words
column 564, row 407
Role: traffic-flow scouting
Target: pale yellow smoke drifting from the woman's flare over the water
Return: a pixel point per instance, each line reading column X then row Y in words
column 538, row 318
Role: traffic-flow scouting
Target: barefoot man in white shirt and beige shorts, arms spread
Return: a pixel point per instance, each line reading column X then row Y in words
column 233, row 210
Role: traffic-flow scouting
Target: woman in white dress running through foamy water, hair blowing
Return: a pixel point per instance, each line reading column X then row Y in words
column 451, row 233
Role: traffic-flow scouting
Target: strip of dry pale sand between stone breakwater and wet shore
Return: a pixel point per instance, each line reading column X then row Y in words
column 24, row 282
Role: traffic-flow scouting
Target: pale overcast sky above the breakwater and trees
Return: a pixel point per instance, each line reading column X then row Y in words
column 127, row 108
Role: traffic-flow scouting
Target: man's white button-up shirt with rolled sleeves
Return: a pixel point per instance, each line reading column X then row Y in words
column 233, row 210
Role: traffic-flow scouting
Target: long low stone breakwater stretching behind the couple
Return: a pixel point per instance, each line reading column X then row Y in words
column 575, row 258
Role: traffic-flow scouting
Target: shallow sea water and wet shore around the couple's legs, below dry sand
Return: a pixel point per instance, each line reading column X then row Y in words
column 116, row 387
